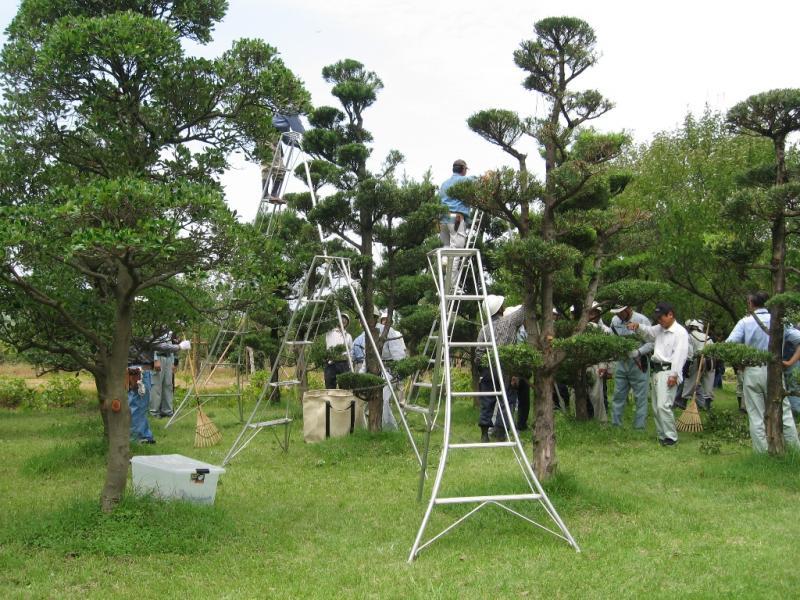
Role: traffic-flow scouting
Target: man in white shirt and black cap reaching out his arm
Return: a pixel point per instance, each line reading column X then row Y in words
column 669, row 354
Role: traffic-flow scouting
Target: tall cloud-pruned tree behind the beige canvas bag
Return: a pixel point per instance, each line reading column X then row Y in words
column 368, row 209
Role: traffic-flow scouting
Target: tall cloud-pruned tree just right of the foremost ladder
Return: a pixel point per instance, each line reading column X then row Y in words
column 565, row 226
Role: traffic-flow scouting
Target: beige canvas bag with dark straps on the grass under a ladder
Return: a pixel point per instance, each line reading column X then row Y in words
column 331, row 413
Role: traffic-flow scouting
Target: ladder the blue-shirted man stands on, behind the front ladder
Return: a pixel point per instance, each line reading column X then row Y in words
column 420, row 382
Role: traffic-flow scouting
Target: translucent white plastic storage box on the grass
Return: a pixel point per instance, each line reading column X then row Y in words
column 174, row 476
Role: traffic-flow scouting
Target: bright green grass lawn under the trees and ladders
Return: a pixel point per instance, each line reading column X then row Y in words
column 337, row 519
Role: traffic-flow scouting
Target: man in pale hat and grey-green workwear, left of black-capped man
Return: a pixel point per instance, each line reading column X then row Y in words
column 631, row 372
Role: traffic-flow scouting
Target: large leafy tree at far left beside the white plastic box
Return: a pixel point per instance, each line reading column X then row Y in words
column 111, row 136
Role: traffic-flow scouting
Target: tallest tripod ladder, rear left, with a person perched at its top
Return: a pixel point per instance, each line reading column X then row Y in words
column 229, row 337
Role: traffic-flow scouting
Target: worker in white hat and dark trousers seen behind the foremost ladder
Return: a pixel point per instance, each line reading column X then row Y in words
column 505, row 332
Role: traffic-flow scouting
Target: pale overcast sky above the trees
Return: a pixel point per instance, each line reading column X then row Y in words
column 442, row 60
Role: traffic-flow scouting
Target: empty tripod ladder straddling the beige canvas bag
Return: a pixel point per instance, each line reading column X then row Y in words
column 316, row 302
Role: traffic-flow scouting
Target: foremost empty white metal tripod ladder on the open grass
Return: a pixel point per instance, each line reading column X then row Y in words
column 534, row 491
